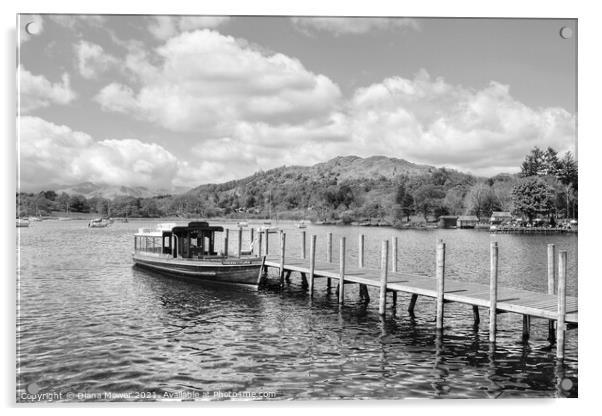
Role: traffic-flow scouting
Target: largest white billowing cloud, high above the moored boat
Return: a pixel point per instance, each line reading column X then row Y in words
column 209, row 81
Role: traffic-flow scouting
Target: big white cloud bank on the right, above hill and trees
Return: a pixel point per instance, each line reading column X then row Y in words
column 428, row 120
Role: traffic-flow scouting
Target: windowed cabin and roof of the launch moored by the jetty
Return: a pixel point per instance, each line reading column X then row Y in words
column 195, row 240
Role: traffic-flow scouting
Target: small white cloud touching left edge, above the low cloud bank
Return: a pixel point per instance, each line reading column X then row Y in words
column 35, row 91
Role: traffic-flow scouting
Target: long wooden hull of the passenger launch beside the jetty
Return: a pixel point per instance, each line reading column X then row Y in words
column 234, row 271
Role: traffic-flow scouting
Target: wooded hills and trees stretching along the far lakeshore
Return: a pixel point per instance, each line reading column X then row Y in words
column 546, row 186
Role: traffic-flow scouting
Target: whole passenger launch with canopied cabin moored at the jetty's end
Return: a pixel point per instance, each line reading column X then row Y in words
column 189, row 251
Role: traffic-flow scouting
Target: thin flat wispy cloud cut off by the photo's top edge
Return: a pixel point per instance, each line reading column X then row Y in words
column 352, row 25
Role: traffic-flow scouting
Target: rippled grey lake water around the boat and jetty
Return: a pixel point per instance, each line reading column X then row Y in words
column 92, row 327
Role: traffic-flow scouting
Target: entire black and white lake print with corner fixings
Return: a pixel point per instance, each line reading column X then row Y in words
column 272, row 208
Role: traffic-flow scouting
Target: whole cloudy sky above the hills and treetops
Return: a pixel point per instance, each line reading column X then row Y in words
column 177, row 101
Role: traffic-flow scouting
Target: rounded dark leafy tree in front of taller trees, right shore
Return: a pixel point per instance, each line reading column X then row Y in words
column 532, row 196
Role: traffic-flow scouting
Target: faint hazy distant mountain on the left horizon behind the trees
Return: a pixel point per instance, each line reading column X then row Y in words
column 90, row 190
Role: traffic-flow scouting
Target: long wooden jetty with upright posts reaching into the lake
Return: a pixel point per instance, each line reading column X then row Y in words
column 560, row 310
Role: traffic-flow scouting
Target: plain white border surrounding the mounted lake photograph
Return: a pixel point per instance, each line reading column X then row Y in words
column 590, row 274
